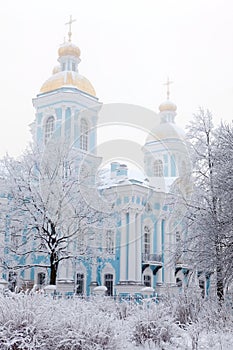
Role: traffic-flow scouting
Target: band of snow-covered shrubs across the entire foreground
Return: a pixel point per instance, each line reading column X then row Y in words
column 37, row 322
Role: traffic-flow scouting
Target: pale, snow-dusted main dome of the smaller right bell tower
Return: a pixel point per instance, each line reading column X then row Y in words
column 166, row 131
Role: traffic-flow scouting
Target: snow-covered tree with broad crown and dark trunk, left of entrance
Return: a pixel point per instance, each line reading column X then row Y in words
column 53, row 206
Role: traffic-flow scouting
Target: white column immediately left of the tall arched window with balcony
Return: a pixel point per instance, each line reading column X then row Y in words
column 138, row 262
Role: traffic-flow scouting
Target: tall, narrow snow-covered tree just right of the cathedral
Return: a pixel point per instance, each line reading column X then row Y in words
column 208, row 243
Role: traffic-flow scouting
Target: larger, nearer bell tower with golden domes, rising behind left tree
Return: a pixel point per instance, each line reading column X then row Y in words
column 67, row 106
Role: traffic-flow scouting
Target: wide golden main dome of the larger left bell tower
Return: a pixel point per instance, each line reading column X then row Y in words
column 68, row 78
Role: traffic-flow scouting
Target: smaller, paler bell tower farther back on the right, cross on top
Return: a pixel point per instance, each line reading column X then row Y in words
column 165, row 151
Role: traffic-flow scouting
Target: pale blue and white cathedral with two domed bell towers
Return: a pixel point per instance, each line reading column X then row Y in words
column 136, row 254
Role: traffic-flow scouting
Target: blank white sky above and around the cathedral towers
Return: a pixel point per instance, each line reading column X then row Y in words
column 128, row 48
